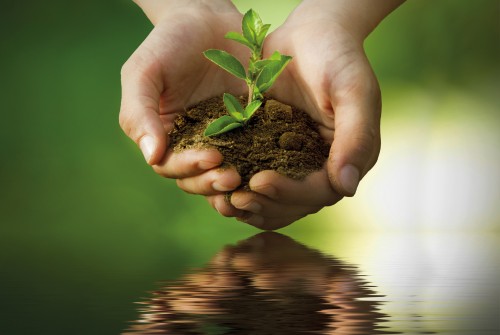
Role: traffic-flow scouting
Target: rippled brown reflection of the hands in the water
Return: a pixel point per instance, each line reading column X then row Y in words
column 267, row 284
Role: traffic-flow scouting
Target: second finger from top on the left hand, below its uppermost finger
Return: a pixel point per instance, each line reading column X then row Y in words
column 212, row 182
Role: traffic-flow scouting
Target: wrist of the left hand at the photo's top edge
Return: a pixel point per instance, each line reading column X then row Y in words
column 155, row 10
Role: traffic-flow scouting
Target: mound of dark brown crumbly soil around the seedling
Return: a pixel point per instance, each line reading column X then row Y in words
column 277, row 137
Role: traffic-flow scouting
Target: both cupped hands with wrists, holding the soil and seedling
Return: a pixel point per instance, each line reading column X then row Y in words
column 330, row 78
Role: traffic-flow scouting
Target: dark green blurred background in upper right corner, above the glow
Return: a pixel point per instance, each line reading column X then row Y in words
column 437, row 44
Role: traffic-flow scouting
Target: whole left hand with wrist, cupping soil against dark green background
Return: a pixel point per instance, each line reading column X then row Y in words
column 167, row 73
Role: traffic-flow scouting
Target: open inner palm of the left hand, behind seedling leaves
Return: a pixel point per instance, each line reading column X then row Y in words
column 178, row 71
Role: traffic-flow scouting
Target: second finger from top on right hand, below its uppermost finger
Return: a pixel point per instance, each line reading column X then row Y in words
column 256, row 203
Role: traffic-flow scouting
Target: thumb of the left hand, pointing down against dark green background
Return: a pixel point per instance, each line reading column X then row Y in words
column 139, row 111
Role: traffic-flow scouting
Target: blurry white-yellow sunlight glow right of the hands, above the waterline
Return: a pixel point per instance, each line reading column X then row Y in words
column 438, row 168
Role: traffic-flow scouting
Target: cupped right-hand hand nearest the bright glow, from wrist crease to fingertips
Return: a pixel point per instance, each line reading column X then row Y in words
column 331, row 79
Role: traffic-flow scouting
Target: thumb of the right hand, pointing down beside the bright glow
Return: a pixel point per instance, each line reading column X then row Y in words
column 356, row 142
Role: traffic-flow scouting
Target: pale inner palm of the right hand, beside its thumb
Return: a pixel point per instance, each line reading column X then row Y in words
column 327, row 66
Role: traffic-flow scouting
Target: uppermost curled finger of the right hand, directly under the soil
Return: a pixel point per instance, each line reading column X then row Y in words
column 314, row 190
